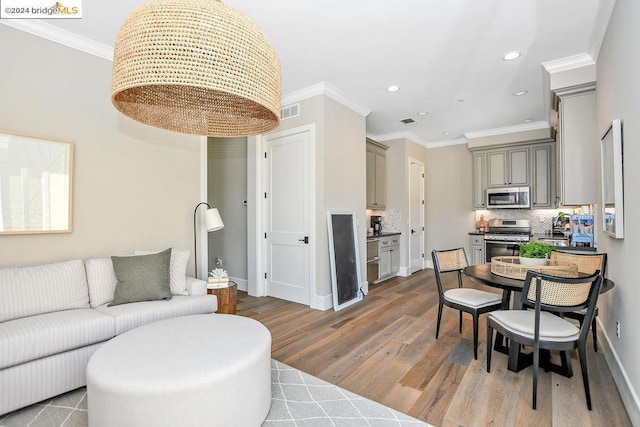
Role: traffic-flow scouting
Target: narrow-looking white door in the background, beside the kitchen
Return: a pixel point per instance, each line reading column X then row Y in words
column 416, row 215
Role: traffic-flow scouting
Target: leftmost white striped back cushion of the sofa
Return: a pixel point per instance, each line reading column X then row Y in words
column 27, row 291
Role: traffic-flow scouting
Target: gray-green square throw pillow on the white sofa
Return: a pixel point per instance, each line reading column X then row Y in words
column 142, row 277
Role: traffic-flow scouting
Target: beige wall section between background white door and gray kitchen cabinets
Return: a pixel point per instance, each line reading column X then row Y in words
column 449, row 200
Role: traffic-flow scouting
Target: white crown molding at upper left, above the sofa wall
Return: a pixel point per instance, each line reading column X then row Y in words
column 63, row 37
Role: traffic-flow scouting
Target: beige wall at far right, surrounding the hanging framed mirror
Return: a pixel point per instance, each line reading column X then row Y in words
column 617, row 97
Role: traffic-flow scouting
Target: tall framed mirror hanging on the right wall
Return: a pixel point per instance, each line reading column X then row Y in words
column 612, row 181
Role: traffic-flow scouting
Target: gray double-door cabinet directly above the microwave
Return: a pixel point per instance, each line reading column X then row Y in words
column 508, row 167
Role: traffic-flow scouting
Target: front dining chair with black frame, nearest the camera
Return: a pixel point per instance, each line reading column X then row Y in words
column 543, row 327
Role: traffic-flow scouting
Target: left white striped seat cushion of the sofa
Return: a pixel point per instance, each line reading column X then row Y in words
column 43, row 335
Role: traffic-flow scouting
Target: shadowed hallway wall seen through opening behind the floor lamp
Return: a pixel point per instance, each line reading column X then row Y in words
column 226, row 190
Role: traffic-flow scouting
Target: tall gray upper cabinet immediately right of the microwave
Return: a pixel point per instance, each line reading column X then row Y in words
column 543, row 176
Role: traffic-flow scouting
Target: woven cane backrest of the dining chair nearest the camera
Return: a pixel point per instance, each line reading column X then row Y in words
column 562, row 294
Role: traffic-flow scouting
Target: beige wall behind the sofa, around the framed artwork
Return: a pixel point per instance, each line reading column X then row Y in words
column 134, row 187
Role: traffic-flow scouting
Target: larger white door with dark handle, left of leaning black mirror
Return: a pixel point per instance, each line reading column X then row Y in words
column 288, row 198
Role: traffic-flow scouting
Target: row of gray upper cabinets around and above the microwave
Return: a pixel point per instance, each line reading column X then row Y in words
column 517, row 165
